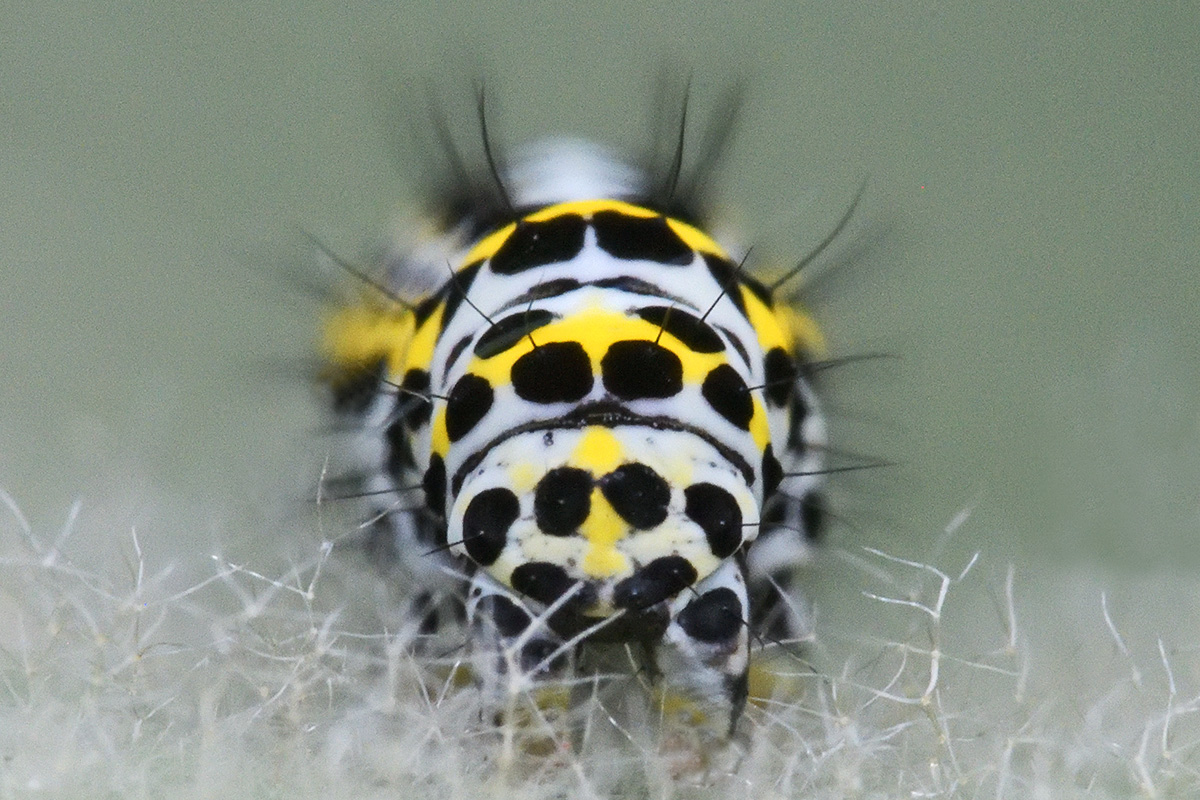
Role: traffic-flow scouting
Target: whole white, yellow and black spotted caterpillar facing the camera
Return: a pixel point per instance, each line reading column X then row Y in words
column 597, row 429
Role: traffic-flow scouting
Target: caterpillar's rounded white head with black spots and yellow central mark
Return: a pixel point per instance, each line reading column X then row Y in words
column 625, row 518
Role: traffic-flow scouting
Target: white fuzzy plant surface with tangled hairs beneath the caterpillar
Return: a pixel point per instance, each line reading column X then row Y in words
column 920, row 681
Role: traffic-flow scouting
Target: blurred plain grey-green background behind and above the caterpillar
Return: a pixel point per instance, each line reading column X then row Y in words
column 1028, row 245
